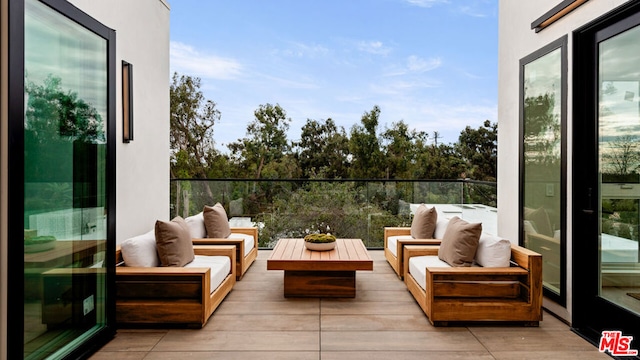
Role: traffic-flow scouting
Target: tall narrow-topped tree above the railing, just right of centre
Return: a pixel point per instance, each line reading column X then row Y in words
column 367, row 158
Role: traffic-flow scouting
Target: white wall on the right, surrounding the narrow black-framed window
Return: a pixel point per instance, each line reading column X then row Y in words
column 517, row 40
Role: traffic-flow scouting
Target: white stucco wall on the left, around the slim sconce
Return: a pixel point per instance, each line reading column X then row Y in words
column 142, row 173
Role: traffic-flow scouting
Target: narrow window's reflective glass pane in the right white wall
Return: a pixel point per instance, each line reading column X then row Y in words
column 542, row 163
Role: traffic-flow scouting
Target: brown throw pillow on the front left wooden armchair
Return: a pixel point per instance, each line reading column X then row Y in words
column 173, row 242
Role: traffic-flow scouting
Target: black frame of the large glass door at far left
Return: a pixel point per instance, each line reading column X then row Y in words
column 15, row 303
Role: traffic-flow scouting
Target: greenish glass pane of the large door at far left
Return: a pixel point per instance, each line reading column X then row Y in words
column 64, row 170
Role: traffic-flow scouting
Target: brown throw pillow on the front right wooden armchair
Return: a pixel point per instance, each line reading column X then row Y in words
column 460, row 242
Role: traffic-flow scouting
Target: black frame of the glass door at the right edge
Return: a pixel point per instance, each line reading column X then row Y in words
column 592, row 314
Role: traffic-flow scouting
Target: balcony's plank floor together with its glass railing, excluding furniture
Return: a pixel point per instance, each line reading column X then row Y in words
column 383, row 320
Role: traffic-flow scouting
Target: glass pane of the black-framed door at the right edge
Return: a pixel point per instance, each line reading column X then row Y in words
column 619, row 159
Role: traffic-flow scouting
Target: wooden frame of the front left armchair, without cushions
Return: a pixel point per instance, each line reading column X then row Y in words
column 147, row 296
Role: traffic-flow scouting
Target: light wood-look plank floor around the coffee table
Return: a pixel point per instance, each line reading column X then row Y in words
column 383, row 322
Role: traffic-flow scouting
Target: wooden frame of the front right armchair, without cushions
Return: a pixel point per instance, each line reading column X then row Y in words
column 478, row 294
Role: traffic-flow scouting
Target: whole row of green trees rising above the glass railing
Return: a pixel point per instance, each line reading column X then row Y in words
column 324, row 149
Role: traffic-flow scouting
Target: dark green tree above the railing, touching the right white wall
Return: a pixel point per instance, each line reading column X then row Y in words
column 479, row 148
